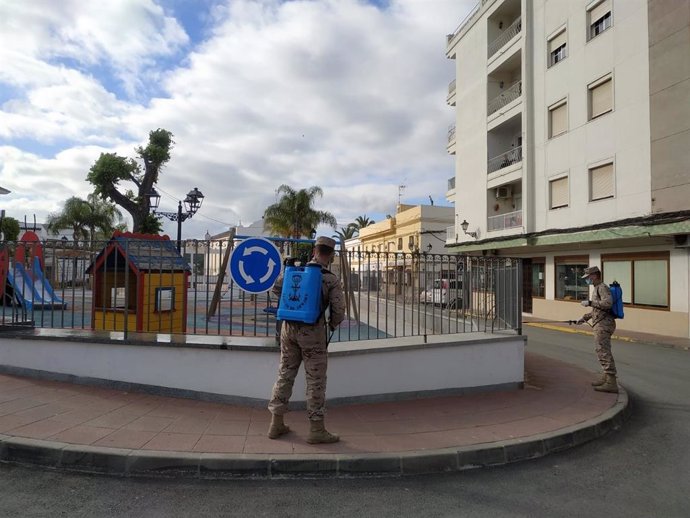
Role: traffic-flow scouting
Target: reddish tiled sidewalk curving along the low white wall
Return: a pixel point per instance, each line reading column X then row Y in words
column 557, row 402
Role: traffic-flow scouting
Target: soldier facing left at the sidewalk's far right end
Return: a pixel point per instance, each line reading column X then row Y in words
column 604, row 325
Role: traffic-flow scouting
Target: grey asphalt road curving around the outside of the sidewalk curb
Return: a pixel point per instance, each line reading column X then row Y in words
column 641, row 471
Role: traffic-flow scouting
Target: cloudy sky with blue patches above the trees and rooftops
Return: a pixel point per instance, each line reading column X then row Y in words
column 348, row 95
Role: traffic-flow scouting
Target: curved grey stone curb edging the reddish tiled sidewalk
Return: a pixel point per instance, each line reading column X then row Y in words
column 134, row 463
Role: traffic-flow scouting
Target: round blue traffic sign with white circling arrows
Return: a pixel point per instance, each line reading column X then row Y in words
column 255, row 264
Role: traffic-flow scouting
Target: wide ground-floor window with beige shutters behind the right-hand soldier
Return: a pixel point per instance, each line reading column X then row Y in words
column 643, row 278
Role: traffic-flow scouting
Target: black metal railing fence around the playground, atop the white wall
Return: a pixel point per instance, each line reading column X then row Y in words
column 138, row 286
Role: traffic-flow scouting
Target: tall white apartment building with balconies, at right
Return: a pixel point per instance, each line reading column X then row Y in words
column 572, row 146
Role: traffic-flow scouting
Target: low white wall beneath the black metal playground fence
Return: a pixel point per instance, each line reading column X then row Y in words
column 356, row 369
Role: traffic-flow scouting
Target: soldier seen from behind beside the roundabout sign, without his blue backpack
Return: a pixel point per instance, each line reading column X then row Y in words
column 309, row 343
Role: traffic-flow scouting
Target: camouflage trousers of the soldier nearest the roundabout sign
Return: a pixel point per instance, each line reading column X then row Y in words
column 302, row 343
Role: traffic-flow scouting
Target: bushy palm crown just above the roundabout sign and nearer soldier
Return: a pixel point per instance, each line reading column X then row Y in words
column 293, row 215
